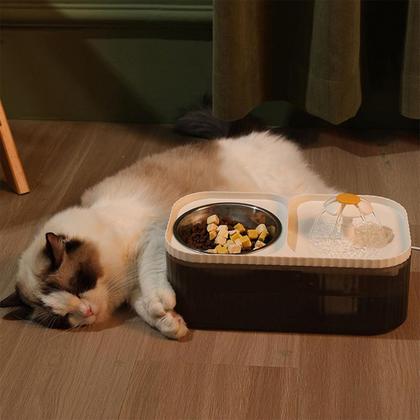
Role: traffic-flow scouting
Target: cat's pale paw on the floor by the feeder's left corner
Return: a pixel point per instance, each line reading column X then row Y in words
column 156, row 309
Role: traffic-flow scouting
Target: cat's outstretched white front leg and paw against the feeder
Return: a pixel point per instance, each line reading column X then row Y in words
column 155, row 301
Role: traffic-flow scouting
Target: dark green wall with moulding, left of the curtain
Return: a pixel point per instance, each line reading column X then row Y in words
column 103, row 60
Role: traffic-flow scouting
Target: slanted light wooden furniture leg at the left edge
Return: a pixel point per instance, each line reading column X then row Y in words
column 12, row 167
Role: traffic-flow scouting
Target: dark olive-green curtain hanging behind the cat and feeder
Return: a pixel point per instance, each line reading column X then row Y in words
column 311, row 53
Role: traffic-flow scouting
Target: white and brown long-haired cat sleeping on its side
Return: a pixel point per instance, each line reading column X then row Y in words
column 87, row 260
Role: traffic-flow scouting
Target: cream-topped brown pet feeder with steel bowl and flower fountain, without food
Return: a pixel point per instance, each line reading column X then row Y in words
column 334, row 265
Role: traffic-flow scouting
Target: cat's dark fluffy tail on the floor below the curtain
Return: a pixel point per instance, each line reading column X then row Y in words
column 202, row 123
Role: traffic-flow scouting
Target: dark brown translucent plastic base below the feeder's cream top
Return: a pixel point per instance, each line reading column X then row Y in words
column 294, row 299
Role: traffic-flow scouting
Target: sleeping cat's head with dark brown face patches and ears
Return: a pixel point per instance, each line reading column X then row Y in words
column 58, row 284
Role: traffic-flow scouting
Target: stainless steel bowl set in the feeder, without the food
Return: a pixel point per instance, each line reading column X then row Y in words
column 247, row 214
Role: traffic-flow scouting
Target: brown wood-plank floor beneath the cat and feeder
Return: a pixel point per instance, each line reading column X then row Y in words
column 128, row 371
